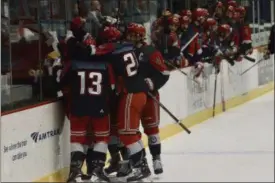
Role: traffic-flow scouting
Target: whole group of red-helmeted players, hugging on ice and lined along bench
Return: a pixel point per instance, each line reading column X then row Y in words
column 110, row 85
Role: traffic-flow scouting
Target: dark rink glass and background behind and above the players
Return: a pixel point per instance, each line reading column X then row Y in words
column 24, row 80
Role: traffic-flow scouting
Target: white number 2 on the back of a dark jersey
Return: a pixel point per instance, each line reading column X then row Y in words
column 131, row 65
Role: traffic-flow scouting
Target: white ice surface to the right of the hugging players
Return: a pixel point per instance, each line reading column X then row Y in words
column 237, row 145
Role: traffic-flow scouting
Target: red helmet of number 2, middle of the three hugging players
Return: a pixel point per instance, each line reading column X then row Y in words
column 110, row 34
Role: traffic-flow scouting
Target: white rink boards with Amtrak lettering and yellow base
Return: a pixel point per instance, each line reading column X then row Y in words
column 37, row 140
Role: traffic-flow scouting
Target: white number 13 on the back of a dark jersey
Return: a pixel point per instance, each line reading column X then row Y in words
column 95, row 80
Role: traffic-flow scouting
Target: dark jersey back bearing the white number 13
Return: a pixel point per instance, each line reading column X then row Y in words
column 90, row 88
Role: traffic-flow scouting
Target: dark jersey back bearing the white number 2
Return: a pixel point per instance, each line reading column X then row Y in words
column 126, row 66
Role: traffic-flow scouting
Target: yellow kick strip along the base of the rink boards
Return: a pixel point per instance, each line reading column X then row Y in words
column 173, row 129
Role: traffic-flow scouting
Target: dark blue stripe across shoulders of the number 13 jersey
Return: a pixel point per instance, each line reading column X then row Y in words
column 76, row 64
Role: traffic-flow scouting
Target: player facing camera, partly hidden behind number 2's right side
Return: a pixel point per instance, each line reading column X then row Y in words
column 155, row 71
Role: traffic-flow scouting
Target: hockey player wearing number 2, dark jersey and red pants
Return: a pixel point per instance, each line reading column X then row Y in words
column 132, row 101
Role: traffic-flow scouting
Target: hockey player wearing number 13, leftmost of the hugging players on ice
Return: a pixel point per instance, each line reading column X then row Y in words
column 85, row 81
